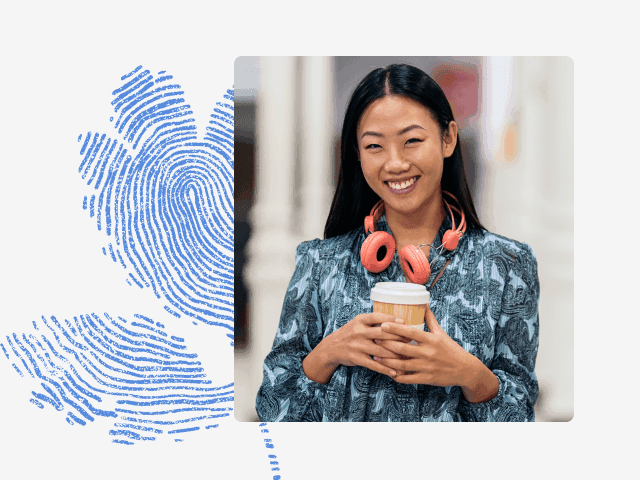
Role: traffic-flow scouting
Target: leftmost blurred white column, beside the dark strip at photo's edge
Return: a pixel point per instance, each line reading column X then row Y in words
column 271, row 250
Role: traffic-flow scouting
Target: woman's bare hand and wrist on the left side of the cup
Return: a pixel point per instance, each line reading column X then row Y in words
column 352, row 344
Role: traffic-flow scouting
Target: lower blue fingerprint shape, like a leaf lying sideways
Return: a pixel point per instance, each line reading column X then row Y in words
column 131, row 371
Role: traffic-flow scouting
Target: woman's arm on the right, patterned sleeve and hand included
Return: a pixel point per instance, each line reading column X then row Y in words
column 507, row 390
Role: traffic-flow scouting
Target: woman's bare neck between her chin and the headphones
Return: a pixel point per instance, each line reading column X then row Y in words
column 420, row 226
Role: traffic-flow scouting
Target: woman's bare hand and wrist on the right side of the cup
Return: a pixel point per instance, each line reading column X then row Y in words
column 438, row 360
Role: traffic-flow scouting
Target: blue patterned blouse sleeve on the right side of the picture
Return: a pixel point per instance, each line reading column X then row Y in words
column 516, row 348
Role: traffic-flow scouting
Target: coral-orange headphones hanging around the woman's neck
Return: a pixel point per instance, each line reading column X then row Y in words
column 378, row 248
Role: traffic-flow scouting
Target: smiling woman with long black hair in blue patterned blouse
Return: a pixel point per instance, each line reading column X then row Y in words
column 334, row 360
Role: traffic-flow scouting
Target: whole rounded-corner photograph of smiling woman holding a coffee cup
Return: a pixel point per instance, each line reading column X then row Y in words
column 403, row 239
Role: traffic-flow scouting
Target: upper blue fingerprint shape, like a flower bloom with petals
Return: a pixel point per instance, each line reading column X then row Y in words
column 165, row 197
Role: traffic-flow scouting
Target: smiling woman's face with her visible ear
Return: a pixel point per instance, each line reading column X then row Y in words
column 402, row 152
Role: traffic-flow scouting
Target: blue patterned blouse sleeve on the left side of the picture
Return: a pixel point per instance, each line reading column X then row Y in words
column 286, row 394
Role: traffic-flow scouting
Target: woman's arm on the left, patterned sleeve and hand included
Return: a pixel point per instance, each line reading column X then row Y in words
column 301, row 361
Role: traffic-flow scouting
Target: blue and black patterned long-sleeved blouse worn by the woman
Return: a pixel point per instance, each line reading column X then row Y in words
column 486, row 300
